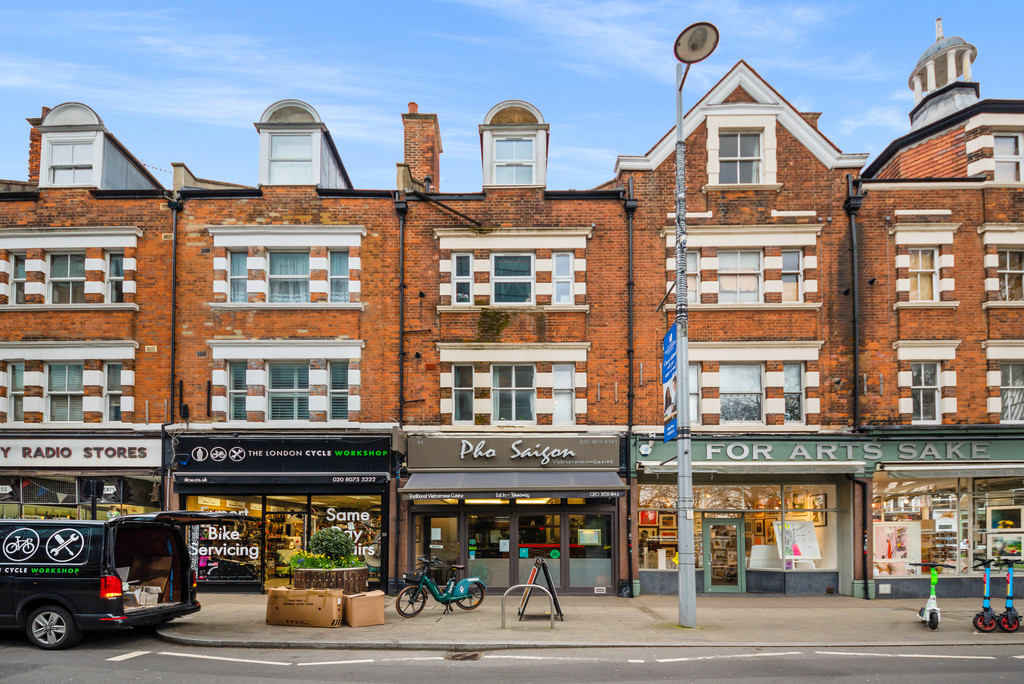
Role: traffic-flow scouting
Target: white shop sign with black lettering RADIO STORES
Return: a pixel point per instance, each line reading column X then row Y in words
column 79, row 453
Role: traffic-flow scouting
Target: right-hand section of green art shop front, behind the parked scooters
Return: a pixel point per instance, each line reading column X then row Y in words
column 951, row 499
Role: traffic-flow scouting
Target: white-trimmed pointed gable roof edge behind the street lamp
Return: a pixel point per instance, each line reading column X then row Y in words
column 766, row 102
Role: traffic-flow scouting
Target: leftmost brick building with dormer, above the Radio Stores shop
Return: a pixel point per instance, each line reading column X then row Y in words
column 84, row 362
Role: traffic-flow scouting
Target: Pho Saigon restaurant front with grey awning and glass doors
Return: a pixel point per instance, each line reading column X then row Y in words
column 498, row 503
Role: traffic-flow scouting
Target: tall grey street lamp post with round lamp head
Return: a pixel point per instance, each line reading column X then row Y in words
column 693, row 46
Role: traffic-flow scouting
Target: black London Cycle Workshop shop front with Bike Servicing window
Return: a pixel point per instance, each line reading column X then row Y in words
column 294, row 487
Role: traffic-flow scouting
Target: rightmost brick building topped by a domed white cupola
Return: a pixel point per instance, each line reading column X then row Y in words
column 938, row 218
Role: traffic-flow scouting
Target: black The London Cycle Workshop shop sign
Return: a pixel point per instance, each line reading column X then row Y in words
column 242, row 455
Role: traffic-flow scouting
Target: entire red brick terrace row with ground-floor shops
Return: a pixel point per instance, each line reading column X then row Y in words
column 478, row 376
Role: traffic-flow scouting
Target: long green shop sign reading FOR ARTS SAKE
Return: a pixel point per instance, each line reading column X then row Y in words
column 806, row 451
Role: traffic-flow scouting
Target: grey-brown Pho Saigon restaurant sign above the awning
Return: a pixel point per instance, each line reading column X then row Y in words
column 521, row 453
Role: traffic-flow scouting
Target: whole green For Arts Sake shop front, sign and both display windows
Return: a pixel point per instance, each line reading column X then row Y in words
column 788, row 516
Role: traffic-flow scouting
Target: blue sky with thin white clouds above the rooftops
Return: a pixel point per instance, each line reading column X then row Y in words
column 185, row 83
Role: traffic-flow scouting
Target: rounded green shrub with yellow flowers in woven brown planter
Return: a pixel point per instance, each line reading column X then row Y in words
column 330, row 563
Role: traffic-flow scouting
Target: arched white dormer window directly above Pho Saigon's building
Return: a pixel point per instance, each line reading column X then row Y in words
column 515, row 142
